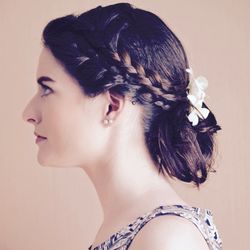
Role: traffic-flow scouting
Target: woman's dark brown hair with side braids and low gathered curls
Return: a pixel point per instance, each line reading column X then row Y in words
column 130, row 51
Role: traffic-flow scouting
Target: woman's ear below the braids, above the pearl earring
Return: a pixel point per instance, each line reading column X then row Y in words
column 115, row 104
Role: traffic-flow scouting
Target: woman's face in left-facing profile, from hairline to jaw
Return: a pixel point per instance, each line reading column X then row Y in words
column 71, row 121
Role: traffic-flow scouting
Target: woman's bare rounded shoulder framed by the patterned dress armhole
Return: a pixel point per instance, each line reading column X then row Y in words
column 169, row 233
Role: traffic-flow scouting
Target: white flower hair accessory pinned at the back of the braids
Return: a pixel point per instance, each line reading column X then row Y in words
column 196, row 96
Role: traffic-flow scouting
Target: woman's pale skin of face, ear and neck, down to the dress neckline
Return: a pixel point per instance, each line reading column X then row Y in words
column 115, row 156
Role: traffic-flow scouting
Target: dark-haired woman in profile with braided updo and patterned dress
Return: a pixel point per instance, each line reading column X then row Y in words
column 117, row 98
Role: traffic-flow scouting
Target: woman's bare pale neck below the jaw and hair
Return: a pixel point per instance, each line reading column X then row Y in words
column 120, row 184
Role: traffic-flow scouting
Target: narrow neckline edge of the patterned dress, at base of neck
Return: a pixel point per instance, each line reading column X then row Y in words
column 187, row 207
